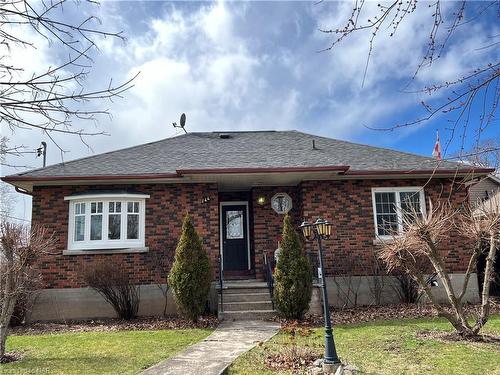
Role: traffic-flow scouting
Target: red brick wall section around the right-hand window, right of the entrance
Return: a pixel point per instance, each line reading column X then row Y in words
column 348, row 205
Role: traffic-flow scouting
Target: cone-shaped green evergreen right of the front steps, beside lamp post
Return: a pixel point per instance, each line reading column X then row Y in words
column 293, row 275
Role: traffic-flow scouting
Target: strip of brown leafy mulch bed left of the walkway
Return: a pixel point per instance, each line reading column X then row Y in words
column 109, row 325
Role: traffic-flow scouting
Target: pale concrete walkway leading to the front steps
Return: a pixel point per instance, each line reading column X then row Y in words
column 212, row 355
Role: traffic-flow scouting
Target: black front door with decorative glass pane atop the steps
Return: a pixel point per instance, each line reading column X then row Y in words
column 234, row 237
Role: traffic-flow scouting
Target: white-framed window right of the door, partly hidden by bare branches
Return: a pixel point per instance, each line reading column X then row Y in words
column 392, row 206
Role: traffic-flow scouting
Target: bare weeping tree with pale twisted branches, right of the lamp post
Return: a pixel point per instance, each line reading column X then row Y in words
column 422, row 241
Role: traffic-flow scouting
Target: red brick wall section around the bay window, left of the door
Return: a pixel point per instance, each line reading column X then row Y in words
column 165, row 209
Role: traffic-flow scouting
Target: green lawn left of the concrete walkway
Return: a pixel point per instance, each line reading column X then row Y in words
column 122, row 352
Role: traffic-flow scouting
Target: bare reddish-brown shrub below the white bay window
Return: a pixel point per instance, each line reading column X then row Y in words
column 113, row 283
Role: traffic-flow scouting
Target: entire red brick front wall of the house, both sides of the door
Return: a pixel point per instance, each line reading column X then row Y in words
column 348, row 204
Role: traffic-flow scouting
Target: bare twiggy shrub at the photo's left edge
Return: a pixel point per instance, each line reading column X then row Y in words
column 19, row 277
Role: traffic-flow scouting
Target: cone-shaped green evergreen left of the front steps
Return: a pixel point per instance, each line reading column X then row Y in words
column 191, row 273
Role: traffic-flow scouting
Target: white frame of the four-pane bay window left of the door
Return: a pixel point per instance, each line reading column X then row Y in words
column 104, row 243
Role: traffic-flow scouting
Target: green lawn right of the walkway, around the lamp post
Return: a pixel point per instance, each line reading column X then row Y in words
column 389, row 347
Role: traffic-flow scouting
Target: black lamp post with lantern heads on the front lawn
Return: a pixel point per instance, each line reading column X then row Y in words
column 321, row 230
